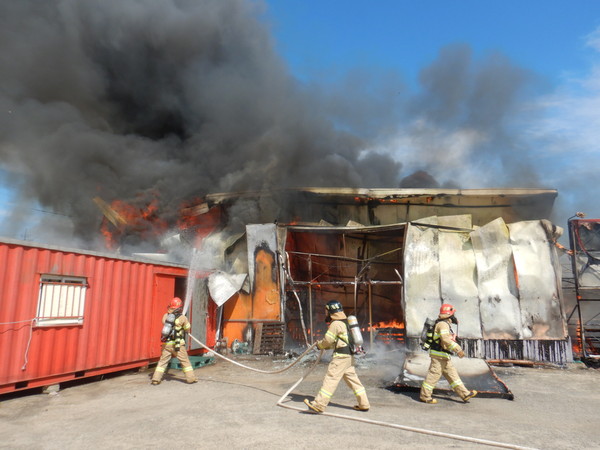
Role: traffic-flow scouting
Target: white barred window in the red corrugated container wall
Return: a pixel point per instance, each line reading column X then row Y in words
column 61, row 301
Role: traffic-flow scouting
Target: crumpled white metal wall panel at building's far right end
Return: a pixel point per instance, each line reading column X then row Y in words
column 539, row 299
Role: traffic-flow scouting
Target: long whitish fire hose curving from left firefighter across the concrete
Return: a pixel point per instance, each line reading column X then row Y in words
column 356, row 419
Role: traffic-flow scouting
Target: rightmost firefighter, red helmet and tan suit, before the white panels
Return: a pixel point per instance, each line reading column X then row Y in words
column 443, row 346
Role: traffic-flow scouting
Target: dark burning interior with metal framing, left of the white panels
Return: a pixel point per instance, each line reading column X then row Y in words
column 359, row 266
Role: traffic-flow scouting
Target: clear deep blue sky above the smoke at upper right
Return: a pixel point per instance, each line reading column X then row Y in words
column 548, row 37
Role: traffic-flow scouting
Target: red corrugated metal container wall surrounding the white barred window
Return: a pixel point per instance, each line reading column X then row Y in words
column 124, row 305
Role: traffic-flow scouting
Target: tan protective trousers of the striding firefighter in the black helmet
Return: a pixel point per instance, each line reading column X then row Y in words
column 341, row 366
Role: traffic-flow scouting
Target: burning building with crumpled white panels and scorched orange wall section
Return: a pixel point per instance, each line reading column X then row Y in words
column 392, row 266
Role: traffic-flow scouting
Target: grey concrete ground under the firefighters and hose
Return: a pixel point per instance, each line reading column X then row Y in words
column 234, row 408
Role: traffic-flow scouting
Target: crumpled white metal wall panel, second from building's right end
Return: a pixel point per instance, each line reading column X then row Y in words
column 499, row 305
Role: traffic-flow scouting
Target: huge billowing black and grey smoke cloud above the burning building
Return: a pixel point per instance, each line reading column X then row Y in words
column 171, row 99
